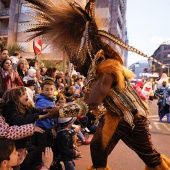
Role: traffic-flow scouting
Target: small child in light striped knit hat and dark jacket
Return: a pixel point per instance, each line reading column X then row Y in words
column 63, row 146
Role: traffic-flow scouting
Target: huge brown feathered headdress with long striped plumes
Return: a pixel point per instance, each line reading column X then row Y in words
column 73, row 29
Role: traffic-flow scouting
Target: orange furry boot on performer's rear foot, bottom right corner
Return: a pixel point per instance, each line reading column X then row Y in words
column 165, row 164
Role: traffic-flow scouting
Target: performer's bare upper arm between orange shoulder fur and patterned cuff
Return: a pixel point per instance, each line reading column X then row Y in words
column 99, row 91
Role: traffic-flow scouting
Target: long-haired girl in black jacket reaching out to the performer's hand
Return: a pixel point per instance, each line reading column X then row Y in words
column 17, row 110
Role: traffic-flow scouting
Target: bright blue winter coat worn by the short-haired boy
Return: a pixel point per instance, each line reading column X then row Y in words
column 43, row 101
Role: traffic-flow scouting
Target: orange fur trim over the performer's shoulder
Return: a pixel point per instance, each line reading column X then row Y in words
column 111, row 66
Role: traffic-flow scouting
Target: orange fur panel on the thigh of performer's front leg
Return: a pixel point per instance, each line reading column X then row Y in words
column 110, row 125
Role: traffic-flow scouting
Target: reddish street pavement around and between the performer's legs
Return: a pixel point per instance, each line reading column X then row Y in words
column 122, row 157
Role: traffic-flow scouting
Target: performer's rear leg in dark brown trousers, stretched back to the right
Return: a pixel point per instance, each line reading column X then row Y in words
column 139, row 139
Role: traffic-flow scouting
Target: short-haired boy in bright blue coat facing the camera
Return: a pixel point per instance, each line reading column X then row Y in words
column 45, row 99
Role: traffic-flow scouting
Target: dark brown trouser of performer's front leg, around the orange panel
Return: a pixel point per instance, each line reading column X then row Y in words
column 98, row 154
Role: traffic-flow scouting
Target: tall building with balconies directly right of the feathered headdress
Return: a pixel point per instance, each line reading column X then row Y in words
column 112, row 14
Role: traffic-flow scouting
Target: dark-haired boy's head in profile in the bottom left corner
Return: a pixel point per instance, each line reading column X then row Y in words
column 8, row 154
